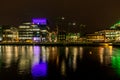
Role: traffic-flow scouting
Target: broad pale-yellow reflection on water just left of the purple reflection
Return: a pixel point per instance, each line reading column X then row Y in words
column 24, row 60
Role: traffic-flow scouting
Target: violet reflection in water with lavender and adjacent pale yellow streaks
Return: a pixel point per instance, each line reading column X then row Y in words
column 39, row 65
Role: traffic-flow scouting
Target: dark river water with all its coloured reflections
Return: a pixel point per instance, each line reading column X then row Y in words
column 59, row 63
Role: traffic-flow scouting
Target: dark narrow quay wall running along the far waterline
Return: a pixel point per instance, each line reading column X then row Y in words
column 63, row 44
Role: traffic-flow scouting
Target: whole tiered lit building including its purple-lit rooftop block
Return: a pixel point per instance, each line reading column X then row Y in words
column 36, row 31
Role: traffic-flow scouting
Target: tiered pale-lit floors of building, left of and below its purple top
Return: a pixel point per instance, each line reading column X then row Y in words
column 29, row 31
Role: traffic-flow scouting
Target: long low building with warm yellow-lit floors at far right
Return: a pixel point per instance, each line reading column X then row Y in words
column 105, row 35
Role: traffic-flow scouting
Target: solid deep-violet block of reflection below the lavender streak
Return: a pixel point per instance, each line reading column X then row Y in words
column 39, row 70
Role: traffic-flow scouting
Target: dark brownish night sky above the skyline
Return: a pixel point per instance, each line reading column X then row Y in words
column 95, row 14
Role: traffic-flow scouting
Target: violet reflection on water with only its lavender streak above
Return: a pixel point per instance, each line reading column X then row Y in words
column 39, row 68
